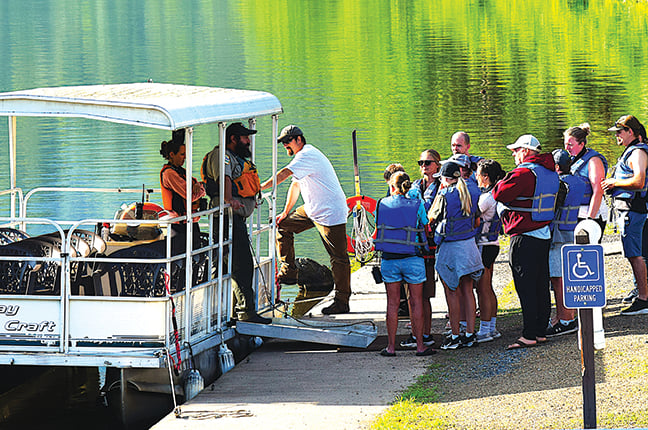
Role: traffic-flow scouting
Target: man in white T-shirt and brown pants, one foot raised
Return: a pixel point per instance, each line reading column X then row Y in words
column 324, row 208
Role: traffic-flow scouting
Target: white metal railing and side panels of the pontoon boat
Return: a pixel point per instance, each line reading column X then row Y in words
column 68, row 328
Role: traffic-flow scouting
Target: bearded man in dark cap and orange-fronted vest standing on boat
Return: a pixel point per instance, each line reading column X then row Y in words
column 242, row 186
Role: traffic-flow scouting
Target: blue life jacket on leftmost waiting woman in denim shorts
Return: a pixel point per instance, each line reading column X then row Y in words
column 397, row 225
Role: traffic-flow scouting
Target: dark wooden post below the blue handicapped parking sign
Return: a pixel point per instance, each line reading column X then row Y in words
column 586, row 332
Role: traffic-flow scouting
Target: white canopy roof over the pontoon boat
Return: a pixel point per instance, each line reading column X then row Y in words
column 164, row 106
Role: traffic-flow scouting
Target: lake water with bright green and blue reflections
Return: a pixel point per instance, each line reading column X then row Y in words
column 406, row 75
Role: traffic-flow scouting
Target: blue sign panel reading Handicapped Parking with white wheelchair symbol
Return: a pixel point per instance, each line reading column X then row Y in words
column 583, row 276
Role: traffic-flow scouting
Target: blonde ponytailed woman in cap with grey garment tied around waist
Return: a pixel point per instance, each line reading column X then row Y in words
column 455, row 212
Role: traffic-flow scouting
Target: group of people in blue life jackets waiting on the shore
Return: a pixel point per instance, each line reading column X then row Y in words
column 449, row 222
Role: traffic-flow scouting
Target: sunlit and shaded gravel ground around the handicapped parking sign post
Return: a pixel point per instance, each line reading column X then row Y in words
column 541, row 387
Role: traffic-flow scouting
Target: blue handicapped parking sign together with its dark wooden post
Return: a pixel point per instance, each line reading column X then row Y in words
column 584, row 289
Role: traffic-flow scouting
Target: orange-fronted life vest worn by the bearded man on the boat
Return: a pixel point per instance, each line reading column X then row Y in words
column 247, row 184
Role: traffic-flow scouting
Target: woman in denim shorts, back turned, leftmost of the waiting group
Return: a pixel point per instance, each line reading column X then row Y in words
column 399, row 225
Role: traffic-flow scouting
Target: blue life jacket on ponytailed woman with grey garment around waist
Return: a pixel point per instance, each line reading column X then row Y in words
column 455, row 225
